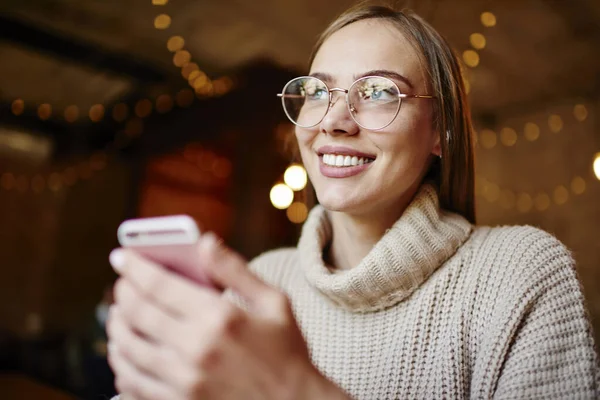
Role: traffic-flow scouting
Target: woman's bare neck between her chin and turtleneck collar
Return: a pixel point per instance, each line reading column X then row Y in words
column 354, row 235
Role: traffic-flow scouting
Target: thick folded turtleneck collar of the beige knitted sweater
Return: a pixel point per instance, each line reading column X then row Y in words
column 410, row 251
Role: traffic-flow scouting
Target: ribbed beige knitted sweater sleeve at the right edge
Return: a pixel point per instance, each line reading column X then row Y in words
column 551, row 353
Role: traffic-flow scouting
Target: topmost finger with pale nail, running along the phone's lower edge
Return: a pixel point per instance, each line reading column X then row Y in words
column 170, row 291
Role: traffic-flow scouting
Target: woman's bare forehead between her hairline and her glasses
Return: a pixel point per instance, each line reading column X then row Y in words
column 368, row 45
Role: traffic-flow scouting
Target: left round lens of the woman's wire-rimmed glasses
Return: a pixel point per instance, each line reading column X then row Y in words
column 305, row 101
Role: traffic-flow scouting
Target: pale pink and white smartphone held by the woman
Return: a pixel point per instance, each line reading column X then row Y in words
column 170, row 241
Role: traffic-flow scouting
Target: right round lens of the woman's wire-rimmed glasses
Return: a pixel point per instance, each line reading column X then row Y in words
column 374, row 102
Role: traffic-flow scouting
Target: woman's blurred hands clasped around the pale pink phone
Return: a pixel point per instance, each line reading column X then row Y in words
column 171, row 338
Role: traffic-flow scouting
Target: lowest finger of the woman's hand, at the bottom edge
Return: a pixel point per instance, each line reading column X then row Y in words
column 133, row 382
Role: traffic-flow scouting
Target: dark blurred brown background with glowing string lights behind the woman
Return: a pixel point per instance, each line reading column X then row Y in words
column 113, row 109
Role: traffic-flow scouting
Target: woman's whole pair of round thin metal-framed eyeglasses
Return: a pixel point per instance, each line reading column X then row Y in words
column 373, row 101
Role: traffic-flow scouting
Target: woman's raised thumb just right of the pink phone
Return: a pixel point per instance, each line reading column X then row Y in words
column 228, row 269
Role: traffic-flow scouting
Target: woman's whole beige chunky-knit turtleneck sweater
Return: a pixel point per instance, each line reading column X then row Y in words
column 442, row 310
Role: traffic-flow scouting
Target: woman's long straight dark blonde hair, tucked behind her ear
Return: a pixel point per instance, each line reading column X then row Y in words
column 454, row 173
